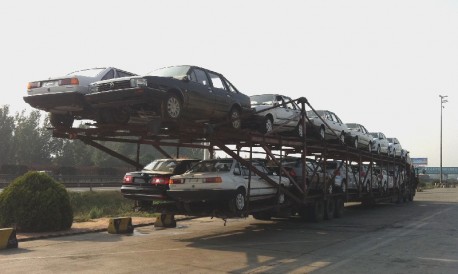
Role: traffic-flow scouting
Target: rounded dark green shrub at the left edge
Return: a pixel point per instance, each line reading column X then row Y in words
column 36, row 202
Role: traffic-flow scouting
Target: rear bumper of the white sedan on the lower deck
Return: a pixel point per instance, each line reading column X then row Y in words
column 198, row 195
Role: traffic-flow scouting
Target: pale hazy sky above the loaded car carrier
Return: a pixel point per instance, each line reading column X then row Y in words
column 382, row 64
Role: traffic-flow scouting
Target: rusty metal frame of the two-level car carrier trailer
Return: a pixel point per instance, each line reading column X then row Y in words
column 320, row 203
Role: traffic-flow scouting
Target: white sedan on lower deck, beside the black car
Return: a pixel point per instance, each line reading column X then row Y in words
column 225, row 181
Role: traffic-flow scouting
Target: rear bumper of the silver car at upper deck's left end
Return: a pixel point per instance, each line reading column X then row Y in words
column 63, row 101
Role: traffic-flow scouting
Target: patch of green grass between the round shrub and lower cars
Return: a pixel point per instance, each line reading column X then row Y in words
column 88, row 205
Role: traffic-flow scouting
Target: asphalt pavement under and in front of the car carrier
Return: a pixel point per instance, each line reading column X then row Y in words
column 416, row 237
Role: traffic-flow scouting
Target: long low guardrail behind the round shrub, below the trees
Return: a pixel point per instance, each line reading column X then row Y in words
column 71, row 181
